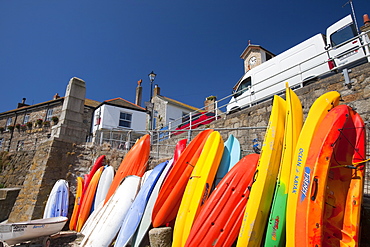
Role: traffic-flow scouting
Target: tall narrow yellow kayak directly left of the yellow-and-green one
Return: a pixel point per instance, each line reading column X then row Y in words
column 260, row 198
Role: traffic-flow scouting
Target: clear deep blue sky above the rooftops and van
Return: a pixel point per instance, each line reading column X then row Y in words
column 192, row 46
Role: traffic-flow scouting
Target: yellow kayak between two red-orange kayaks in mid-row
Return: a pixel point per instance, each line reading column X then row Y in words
column 198, row 187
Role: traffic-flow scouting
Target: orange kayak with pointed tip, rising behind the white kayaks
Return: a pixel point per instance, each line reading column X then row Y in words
column 134, row 163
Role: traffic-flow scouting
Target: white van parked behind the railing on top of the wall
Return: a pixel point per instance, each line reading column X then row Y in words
column 314, row 57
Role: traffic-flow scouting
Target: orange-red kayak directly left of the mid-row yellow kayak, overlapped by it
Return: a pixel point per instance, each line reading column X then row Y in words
column 169, row 197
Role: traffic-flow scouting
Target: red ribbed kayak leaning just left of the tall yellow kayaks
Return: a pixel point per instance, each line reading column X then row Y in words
column 220, row 218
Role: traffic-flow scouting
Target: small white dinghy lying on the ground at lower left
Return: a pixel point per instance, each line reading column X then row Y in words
column 14, row 233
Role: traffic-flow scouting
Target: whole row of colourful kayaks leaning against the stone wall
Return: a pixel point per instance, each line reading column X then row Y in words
column 304, row 188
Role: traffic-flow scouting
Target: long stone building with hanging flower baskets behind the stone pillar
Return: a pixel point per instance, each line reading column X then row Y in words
column 25, row 127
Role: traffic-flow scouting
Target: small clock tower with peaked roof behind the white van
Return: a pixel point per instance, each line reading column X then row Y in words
column 254, row 55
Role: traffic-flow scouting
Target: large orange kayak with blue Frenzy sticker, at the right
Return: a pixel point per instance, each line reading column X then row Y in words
column 328, row 182
